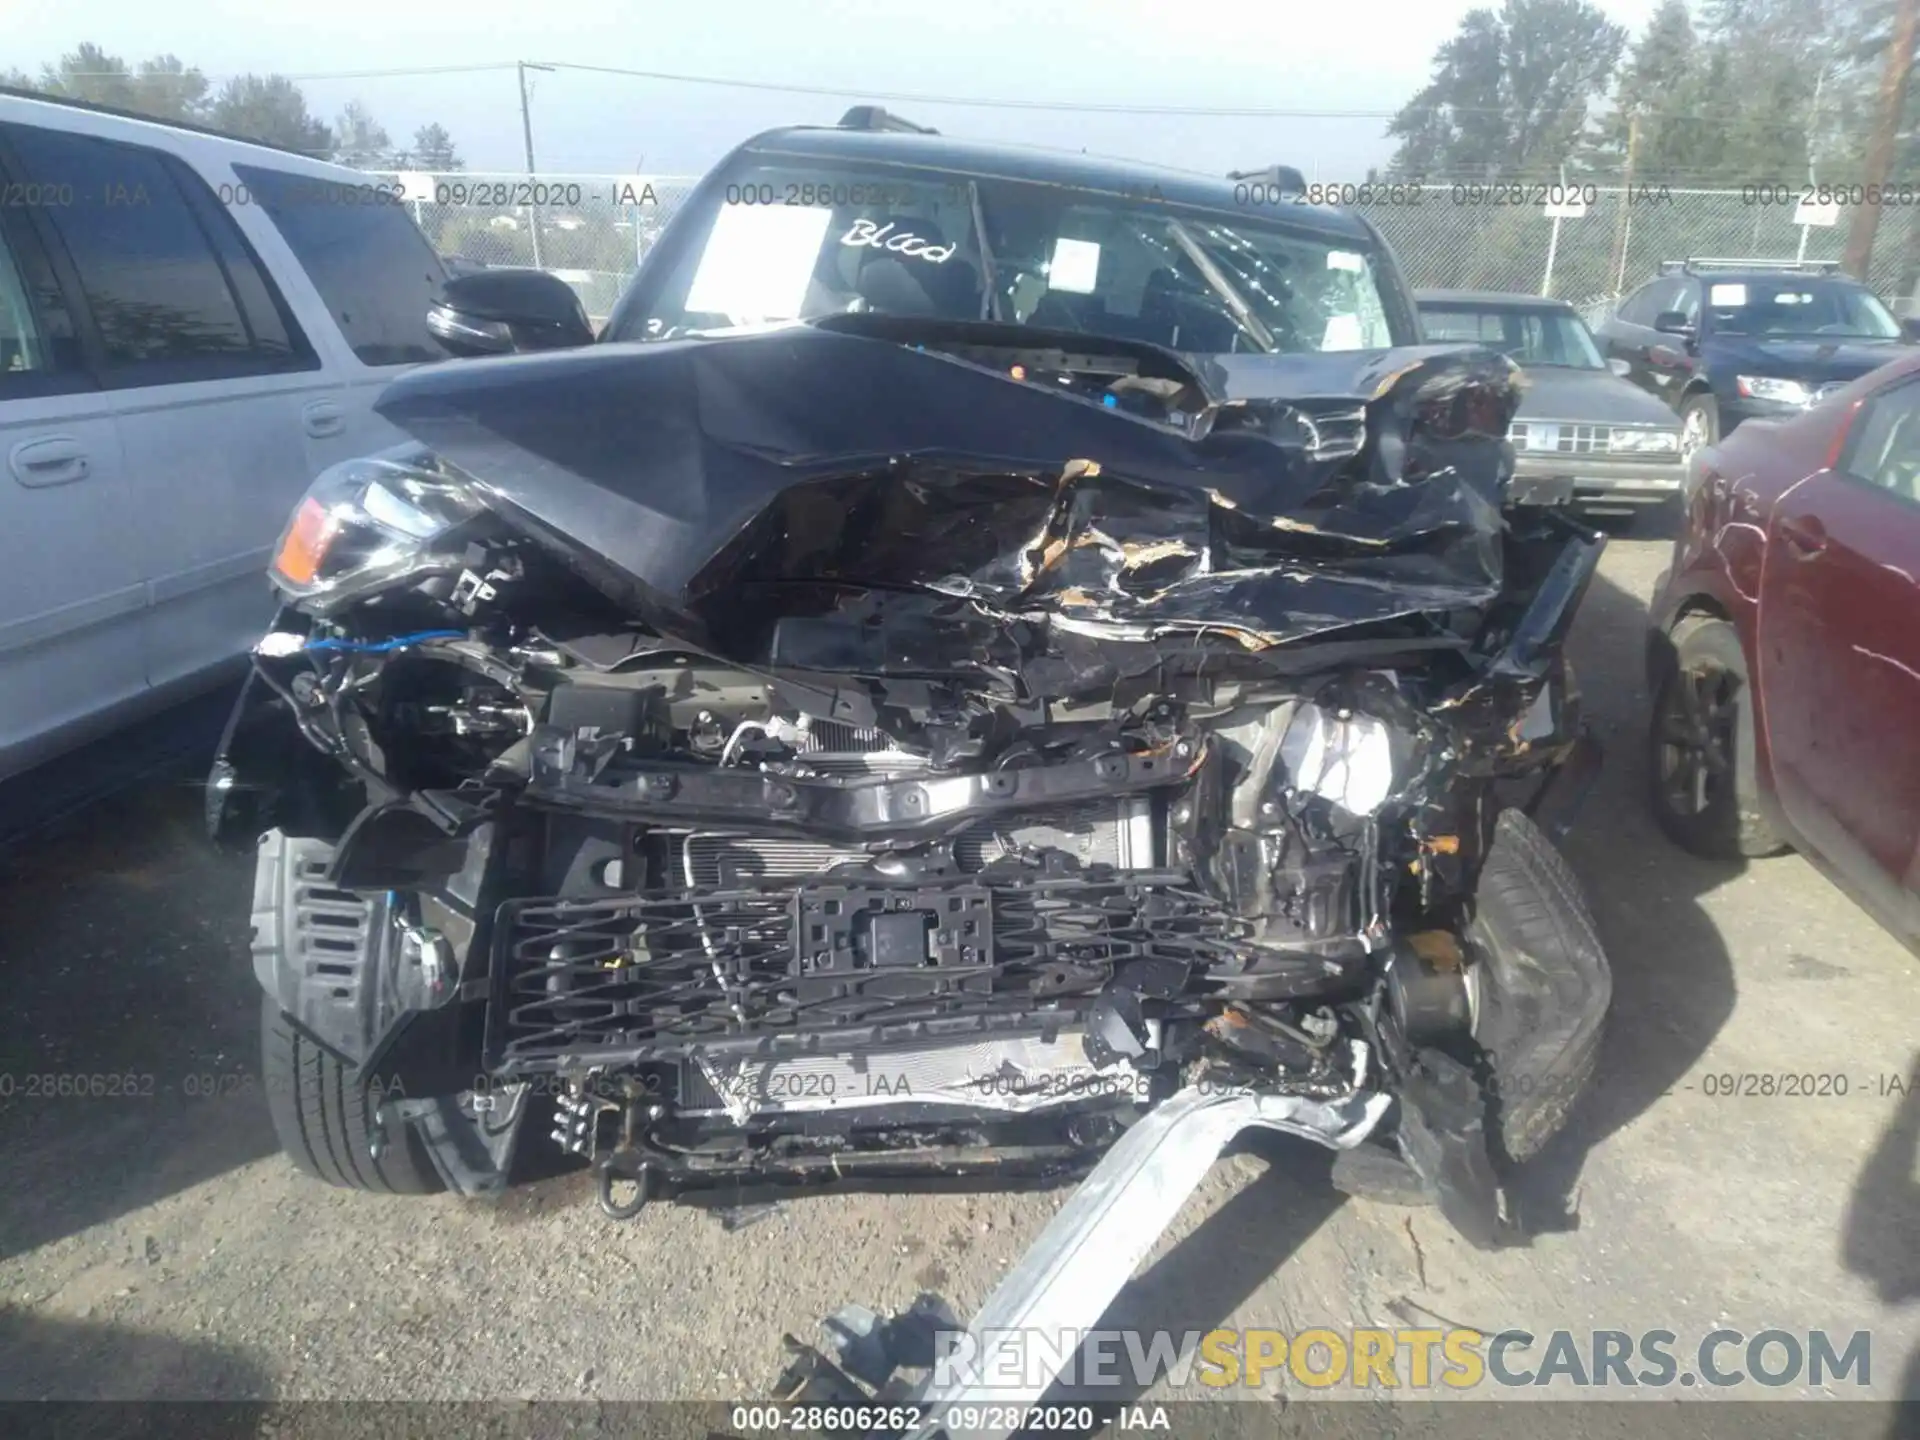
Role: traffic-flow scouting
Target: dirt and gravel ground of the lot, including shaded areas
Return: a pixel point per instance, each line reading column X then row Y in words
column 156, row 1245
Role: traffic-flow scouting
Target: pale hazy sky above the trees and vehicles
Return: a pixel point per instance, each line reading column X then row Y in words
column 1356, row 57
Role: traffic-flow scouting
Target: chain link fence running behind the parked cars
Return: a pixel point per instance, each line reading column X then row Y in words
column 594, row 231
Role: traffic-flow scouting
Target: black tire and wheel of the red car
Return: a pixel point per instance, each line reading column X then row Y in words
column 1702, row 757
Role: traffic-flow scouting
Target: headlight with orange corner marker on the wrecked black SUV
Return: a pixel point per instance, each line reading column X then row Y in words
column 366, row 525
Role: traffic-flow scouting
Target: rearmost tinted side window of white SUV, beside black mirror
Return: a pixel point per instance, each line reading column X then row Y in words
column 364, row 254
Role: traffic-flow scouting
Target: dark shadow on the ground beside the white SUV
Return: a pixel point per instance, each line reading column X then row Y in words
column 130, row 1042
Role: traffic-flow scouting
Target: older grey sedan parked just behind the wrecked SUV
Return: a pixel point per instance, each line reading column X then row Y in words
column 1583, row 437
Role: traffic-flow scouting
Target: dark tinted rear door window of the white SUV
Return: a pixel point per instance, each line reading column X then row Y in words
column 172, row 287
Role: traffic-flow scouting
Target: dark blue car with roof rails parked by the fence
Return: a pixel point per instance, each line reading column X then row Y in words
column 1729, row 341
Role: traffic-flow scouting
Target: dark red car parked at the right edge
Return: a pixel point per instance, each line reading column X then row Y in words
column 1785, row 656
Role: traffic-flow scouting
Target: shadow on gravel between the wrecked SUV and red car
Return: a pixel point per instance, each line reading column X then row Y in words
column 1673, row 978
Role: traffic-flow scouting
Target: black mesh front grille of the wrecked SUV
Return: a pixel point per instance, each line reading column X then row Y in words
column 1057, row 940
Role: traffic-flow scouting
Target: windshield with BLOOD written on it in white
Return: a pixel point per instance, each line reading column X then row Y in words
column 800, row 241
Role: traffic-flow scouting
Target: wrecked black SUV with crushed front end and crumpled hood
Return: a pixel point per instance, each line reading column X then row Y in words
column 986, row 640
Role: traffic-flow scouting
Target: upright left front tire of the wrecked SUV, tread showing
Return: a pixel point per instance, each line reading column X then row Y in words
column 324, row 1115
